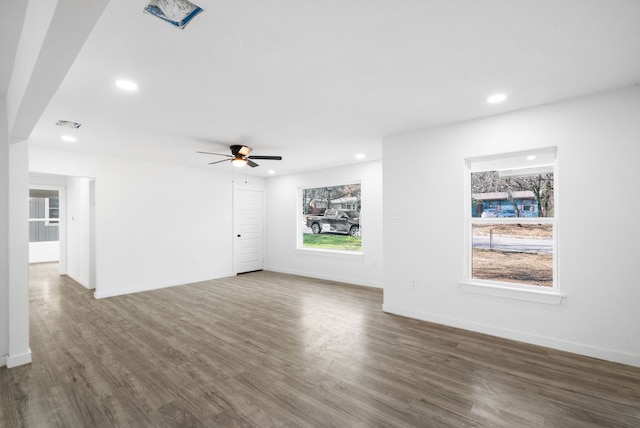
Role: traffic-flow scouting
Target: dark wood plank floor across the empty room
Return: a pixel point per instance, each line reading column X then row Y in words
column 272, row 350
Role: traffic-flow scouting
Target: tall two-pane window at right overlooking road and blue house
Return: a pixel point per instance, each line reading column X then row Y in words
column 511, row 224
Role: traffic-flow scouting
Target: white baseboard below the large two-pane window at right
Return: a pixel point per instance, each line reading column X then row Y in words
column 562, row 345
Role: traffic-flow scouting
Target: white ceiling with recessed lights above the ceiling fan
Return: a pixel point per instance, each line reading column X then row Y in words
column 319, row 81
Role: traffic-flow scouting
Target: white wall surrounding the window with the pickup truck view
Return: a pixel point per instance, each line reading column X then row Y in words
column 284, row 210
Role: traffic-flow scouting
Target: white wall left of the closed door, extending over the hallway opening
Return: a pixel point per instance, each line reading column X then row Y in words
column 156, row 225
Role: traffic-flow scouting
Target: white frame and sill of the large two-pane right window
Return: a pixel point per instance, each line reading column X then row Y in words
column 510, row 290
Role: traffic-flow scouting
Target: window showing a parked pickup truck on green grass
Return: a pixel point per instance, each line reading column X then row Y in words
column 330, row 218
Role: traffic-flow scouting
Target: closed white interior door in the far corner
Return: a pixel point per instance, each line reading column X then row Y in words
column 248, row 207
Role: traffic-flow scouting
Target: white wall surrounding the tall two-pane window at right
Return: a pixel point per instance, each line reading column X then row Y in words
column 598, row 140
